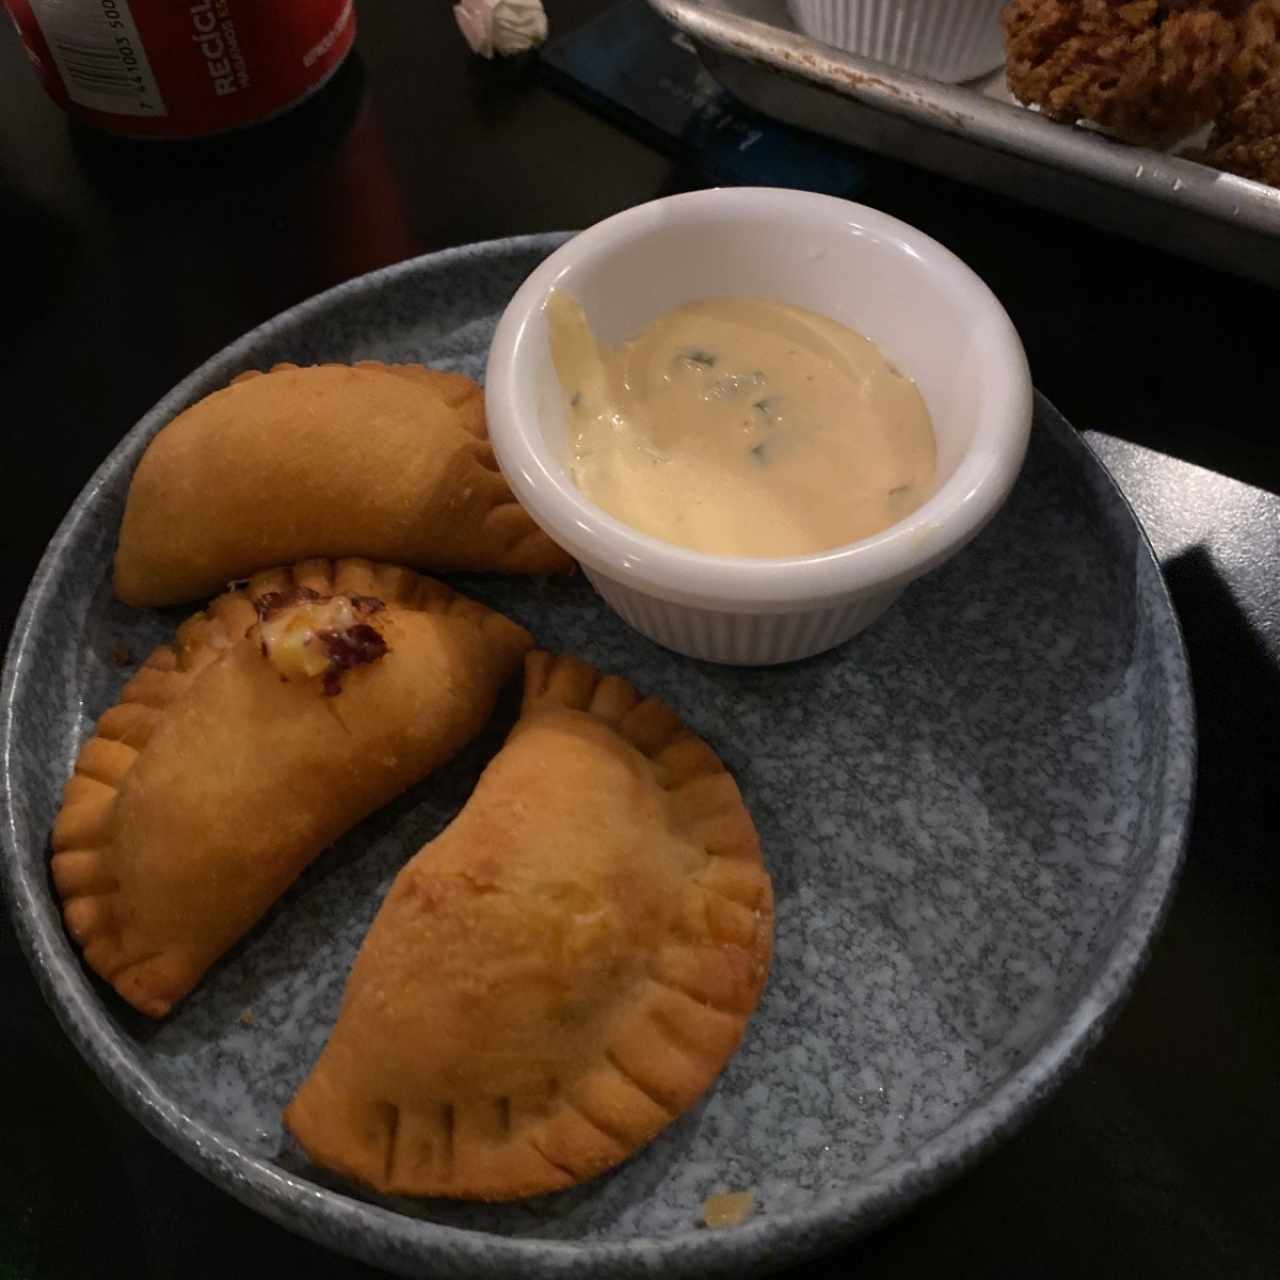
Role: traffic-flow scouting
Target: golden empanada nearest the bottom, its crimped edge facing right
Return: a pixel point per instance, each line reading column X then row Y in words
column 559, row 975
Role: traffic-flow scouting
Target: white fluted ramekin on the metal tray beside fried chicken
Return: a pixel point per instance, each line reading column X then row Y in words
column 947, row 40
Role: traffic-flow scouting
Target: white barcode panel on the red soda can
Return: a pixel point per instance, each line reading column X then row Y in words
column 99, row 53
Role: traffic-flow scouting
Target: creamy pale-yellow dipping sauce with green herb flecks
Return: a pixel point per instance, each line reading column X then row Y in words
column 743, row 428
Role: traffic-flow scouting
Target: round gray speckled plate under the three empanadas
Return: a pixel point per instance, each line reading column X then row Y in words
column 973, row 815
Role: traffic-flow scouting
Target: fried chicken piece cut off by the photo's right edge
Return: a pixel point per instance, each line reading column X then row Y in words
column 1246, row 139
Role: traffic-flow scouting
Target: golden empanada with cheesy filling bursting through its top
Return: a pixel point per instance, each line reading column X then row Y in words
column 239, row 755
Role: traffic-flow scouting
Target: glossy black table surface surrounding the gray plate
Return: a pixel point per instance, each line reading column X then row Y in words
column 129, row 266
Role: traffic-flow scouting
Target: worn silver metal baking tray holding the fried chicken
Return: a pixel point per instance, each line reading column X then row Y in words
column 977, row 134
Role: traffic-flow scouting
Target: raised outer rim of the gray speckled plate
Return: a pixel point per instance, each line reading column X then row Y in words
column 397, row 1241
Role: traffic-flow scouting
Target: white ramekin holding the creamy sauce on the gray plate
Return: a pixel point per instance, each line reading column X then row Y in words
column 929, row 313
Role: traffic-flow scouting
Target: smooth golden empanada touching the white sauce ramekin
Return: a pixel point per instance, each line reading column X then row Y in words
column 386, row 461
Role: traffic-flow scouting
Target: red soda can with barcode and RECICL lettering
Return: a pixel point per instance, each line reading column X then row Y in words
column 184, row 68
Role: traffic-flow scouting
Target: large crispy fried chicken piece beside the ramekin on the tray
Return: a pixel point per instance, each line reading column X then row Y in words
column 1149, row 71
